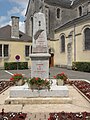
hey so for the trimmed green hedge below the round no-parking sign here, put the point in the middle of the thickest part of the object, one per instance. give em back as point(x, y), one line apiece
point(15, 65)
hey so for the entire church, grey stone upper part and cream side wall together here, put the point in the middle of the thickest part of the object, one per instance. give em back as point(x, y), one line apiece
point(68, 29)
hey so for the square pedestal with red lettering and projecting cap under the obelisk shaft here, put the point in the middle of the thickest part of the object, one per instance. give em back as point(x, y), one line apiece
point(40, 65)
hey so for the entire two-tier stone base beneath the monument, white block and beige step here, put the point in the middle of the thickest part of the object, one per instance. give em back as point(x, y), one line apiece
point(24, 95)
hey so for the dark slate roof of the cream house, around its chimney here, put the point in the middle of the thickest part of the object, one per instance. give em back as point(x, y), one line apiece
point(5, 34)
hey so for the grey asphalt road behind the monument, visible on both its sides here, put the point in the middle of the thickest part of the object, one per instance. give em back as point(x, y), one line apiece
point(53, 71)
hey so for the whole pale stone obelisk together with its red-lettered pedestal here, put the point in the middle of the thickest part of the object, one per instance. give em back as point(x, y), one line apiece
point(40, 55)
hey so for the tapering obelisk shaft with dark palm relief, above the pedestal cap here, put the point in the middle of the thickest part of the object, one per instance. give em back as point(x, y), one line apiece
point(39, 33)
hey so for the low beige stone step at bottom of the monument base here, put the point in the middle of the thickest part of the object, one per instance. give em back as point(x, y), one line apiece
point(38, 100)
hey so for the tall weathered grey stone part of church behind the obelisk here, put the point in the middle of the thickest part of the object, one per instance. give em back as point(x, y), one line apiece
point(50, 7)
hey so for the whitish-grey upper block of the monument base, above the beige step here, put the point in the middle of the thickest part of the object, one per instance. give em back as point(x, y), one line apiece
point(25, 92)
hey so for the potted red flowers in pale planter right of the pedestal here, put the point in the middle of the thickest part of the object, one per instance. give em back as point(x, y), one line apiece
point(61, 78)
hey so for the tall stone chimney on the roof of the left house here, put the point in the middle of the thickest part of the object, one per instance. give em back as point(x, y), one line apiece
point(15, 27)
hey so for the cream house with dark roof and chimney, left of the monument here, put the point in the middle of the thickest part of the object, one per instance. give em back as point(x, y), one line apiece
point(14, 42)
